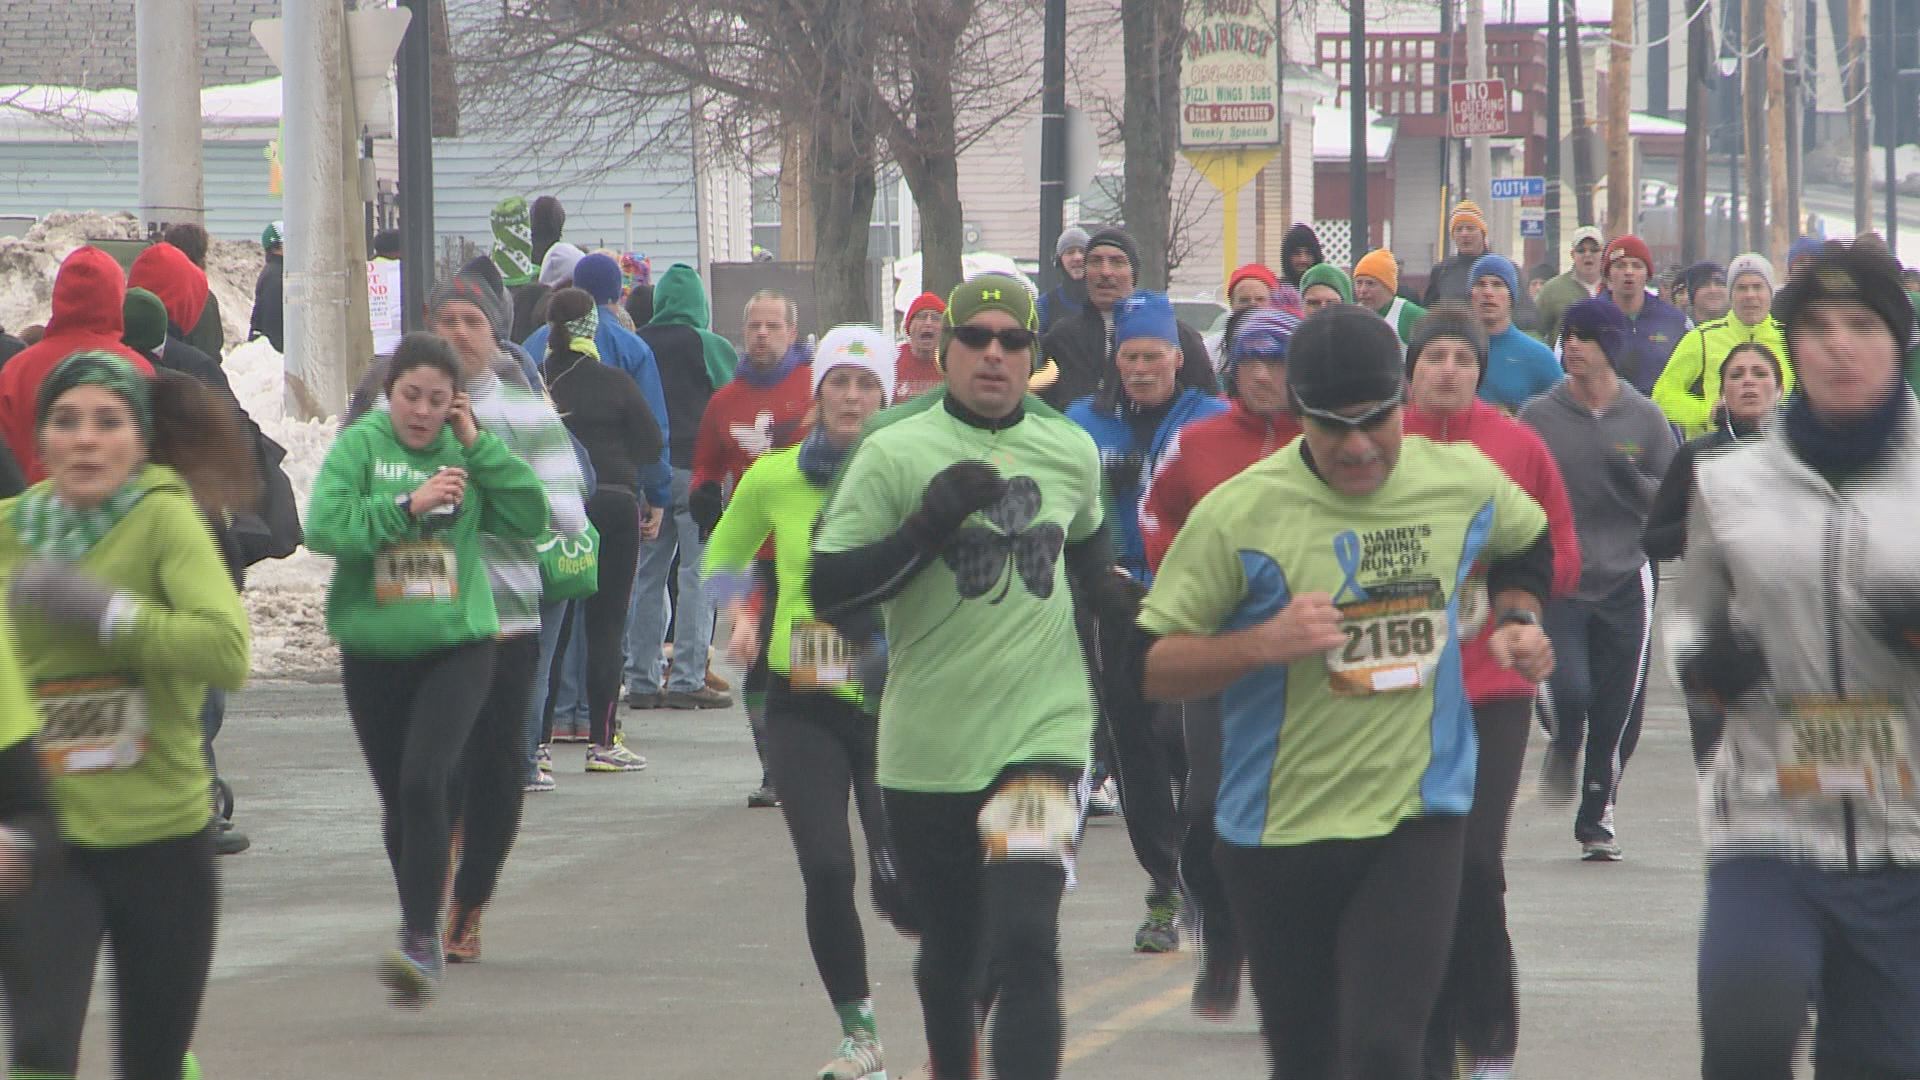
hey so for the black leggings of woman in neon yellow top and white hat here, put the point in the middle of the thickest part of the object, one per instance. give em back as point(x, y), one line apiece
point(821, 747)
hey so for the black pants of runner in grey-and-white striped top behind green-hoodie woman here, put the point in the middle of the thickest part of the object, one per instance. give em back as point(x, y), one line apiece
point(492, 783)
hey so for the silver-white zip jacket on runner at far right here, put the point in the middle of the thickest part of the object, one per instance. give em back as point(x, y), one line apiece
point(1765, 543)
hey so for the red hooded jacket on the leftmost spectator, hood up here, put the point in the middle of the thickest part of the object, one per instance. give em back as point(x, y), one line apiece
point(87, 314)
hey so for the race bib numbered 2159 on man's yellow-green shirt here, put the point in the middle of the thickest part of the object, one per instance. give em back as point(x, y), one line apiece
point(1395, 639)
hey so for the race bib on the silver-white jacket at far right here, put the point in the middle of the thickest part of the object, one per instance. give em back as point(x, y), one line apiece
point(1846, 749)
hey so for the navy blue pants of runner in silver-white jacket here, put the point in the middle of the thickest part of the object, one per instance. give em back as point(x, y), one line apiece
point(1779, 935)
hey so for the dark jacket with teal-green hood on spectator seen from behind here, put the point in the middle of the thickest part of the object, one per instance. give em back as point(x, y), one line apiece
point(694, 360)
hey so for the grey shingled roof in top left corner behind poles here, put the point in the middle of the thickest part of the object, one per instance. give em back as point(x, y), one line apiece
point(91, 43)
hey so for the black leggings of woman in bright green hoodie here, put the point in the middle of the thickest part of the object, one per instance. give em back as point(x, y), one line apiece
point(412, 720)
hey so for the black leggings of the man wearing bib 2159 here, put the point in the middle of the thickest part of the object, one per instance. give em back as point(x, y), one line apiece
point(1347, 943)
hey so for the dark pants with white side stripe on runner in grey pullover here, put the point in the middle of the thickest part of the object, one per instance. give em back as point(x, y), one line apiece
point(1598, 689)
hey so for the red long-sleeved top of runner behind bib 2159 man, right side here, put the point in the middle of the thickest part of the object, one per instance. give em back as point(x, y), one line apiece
point(1525, 460)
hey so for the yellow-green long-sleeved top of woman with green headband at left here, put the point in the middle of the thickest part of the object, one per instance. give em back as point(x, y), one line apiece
point(187, 633)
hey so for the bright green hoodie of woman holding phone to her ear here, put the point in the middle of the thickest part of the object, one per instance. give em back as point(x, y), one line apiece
point(354, 516)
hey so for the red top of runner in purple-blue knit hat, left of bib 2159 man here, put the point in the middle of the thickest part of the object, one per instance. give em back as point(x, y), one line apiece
point(1201, 458)
